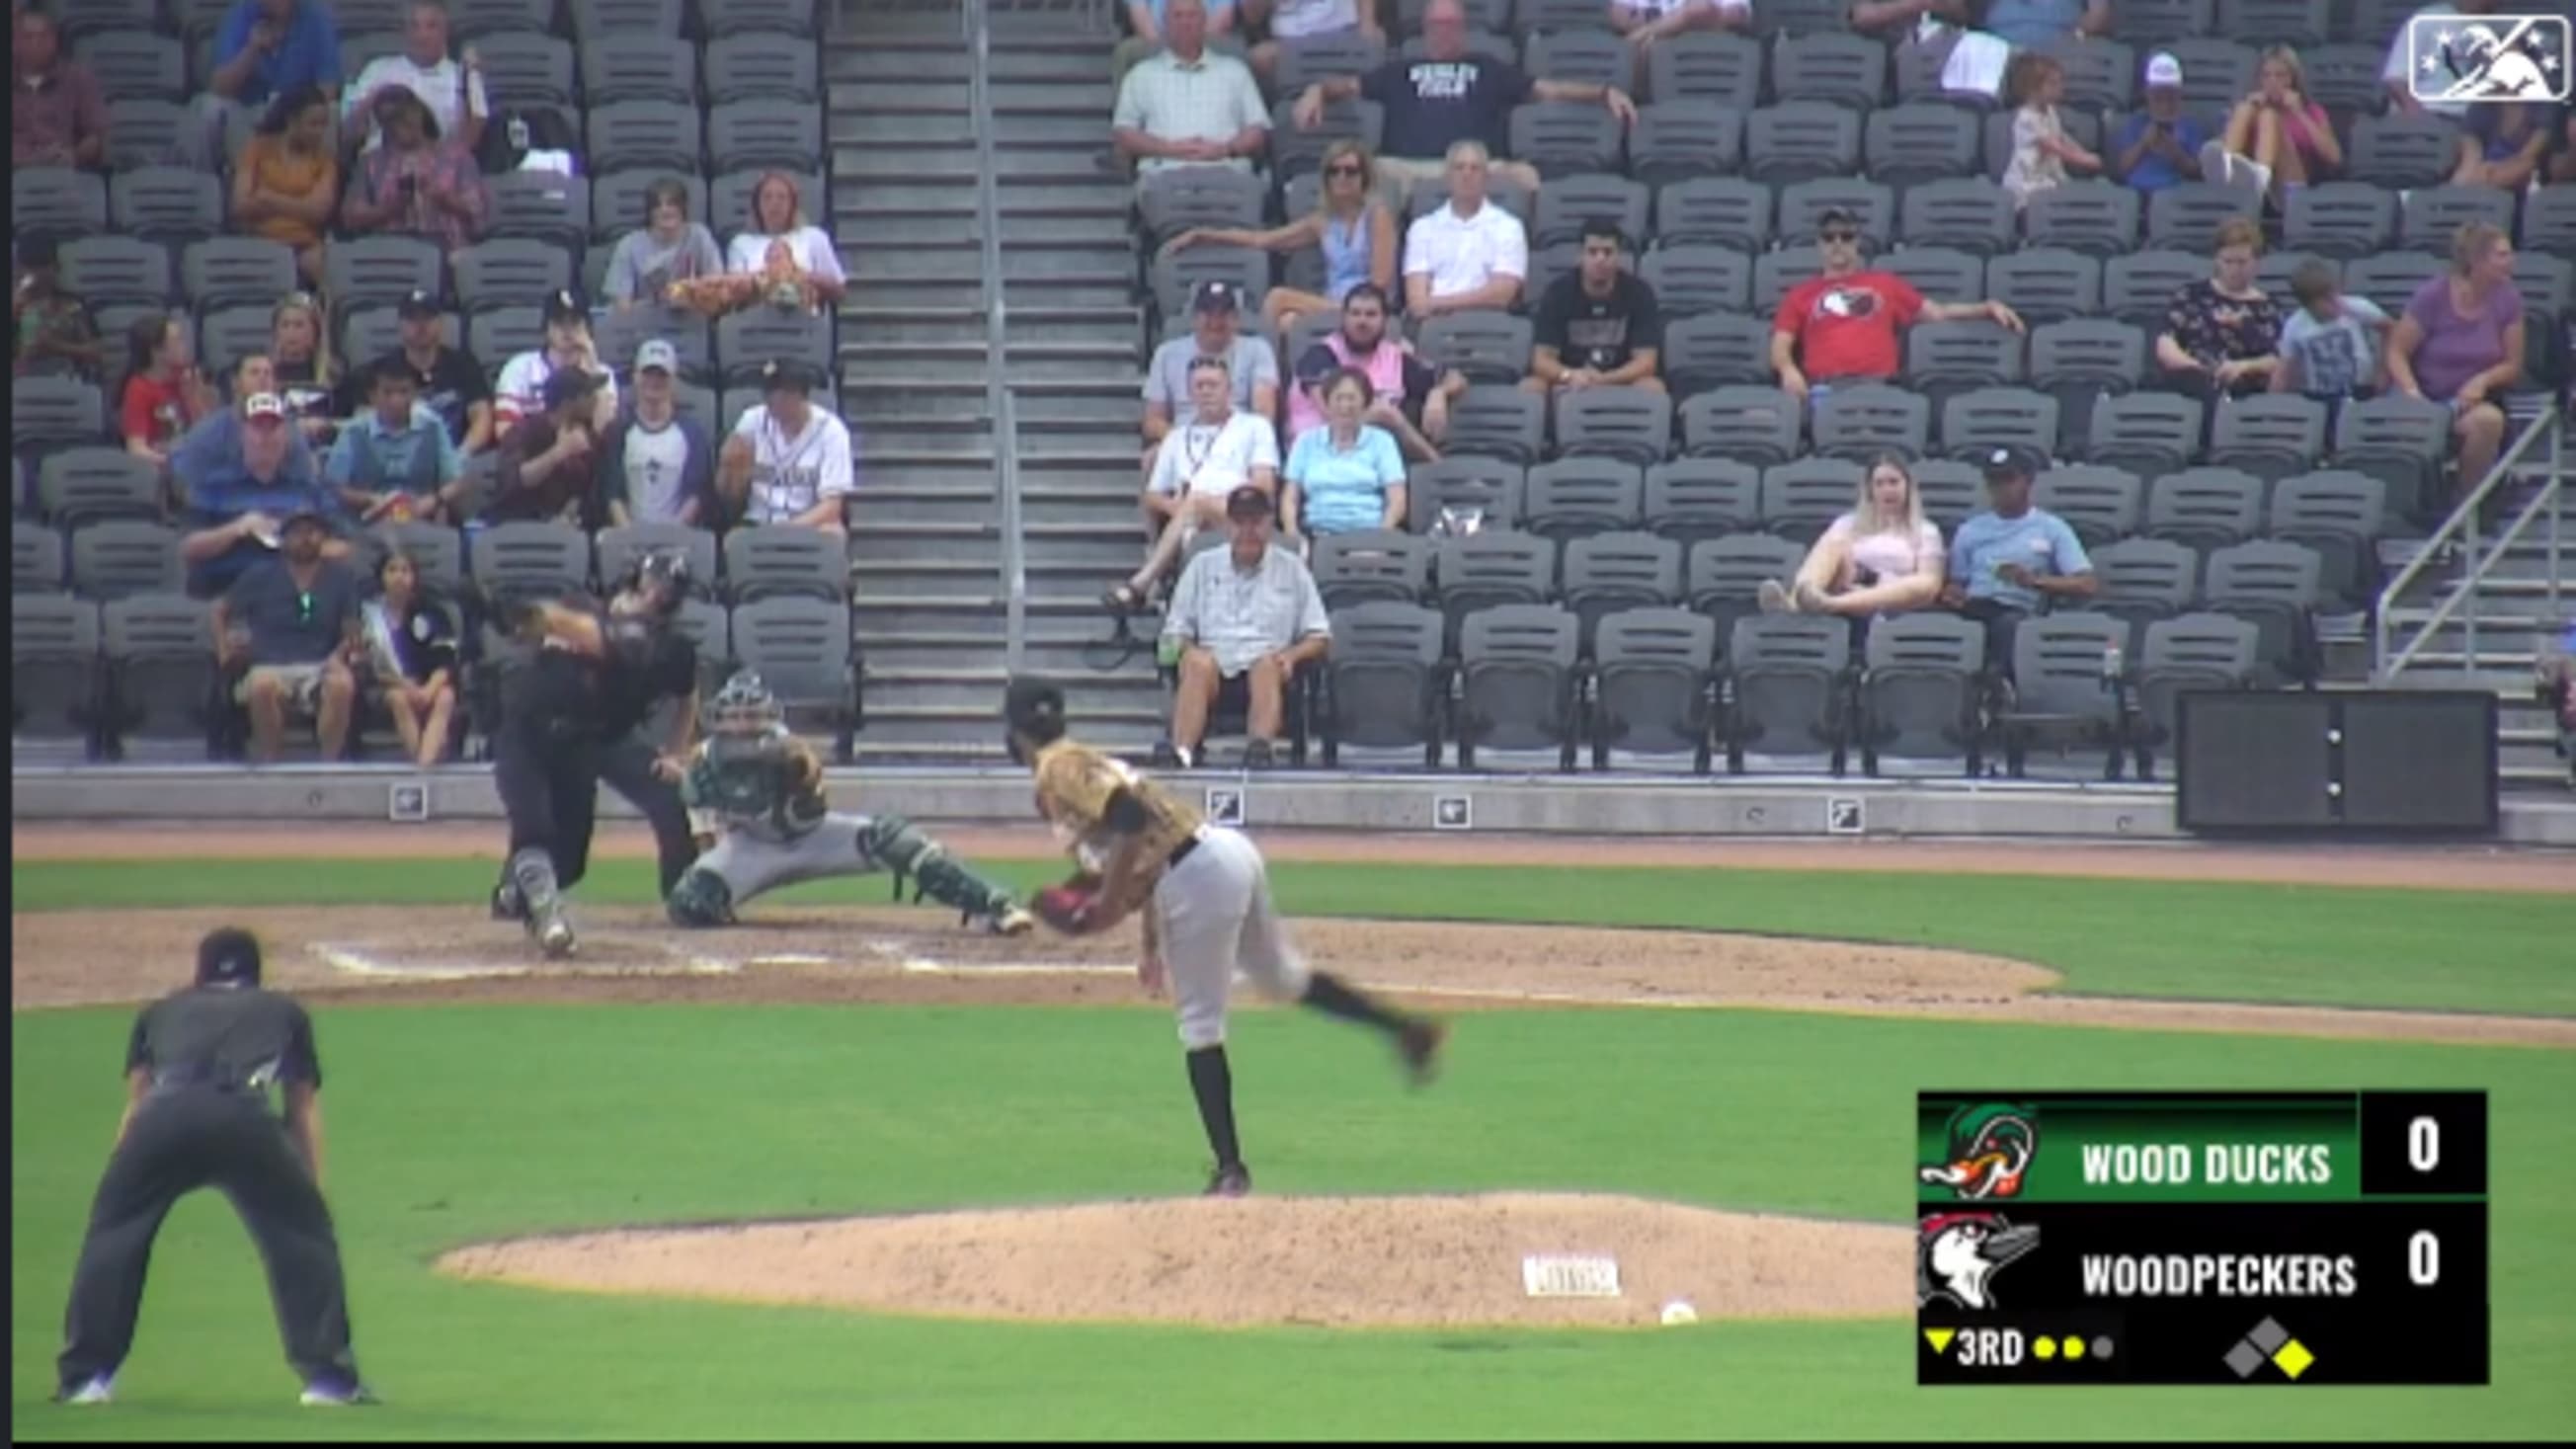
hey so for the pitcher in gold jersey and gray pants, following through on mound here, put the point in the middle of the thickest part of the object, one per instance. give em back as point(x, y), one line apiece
point(1204, 899)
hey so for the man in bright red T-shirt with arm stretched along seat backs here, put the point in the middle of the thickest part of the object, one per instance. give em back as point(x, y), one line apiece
point(1846, 324)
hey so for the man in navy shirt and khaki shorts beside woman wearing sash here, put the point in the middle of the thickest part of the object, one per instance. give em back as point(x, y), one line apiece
point(295, 628)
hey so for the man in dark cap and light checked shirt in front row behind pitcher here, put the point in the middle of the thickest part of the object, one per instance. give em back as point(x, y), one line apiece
point(1238, 659)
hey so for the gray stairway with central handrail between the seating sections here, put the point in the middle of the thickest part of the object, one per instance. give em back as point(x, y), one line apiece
point(926, 558)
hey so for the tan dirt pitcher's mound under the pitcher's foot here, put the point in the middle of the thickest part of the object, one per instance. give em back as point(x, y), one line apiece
point(1397, 1262)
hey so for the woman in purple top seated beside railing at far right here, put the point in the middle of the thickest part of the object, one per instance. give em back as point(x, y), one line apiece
point(2461, 344)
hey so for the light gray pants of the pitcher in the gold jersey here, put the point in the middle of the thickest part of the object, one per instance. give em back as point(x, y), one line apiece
point(1215, 917)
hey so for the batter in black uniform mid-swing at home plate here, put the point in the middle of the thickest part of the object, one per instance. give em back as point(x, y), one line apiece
point(571, 726)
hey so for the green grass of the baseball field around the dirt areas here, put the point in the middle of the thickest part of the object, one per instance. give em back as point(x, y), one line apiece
point(468, 1123)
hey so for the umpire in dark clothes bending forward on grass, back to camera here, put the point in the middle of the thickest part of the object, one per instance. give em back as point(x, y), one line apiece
point(197, 1115)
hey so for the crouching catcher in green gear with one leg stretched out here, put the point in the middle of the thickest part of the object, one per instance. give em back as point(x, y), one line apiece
point(761, 790)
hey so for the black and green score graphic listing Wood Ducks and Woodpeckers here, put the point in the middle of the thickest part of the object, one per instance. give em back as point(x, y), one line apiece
point(2201, 1239)
